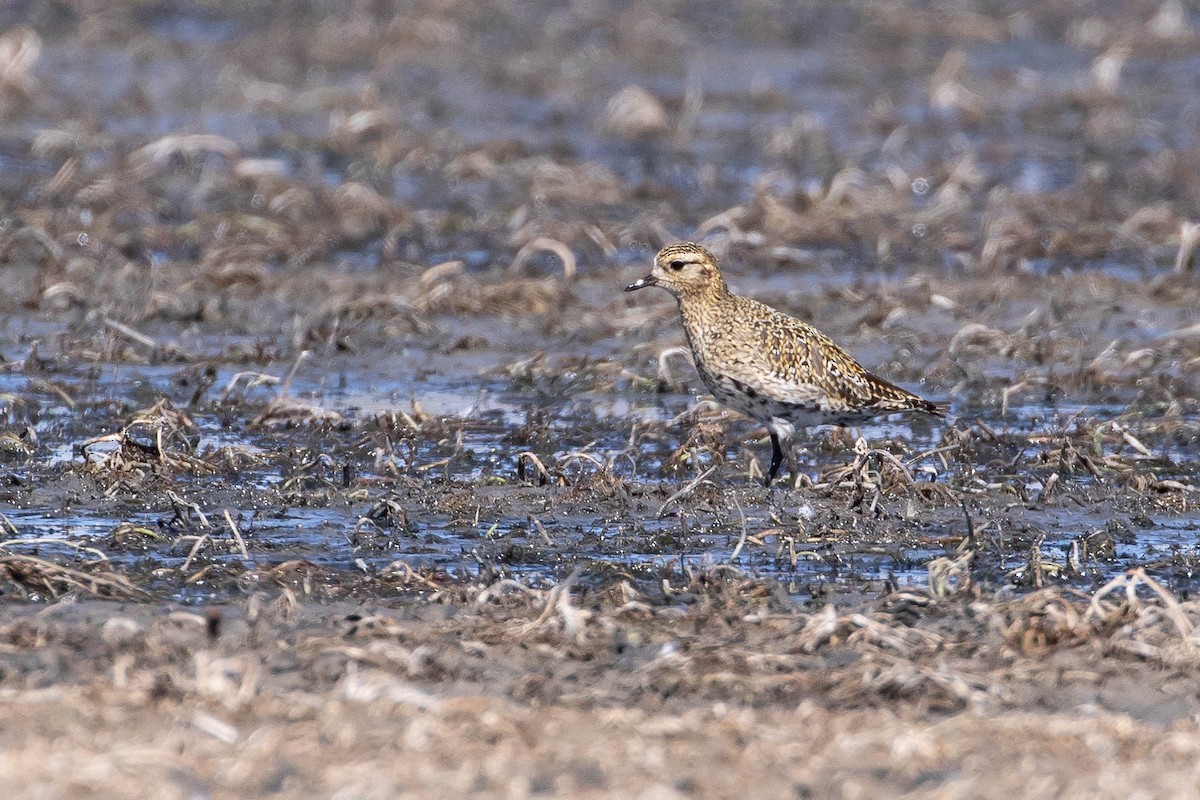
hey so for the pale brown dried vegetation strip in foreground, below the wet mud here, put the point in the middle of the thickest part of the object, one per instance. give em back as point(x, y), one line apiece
point(611, 694)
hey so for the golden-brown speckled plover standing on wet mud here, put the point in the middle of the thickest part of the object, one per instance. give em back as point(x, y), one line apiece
point(767, 365)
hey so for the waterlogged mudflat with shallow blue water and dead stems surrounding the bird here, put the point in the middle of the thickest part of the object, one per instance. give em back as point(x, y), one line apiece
point(993, 173)
